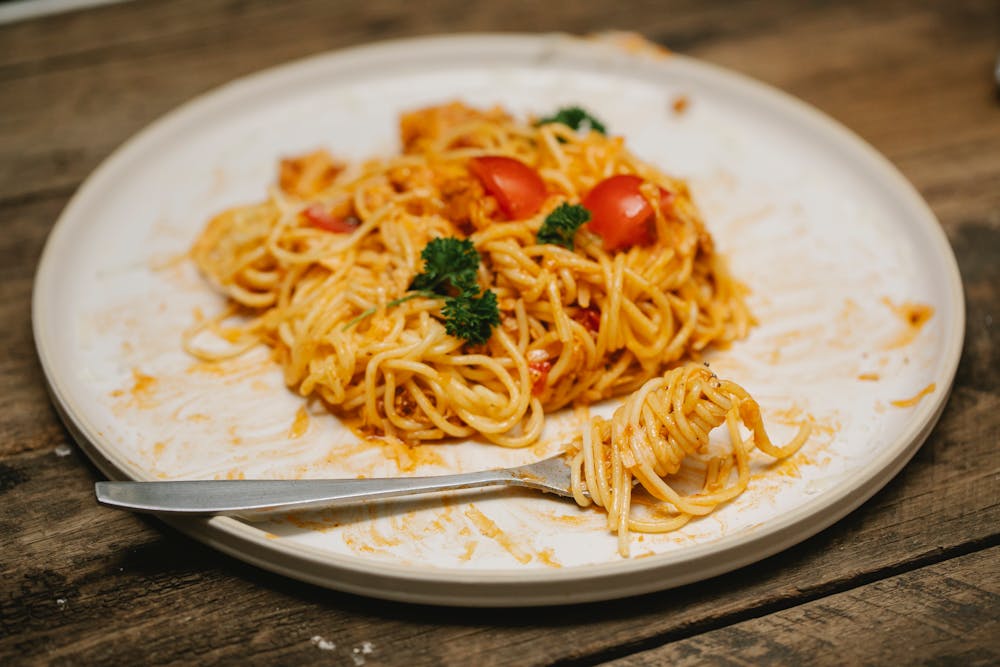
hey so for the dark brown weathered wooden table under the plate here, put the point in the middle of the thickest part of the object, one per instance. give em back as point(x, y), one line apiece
point(912, 576)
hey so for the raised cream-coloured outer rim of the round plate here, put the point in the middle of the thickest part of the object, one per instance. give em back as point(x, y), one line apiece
point(512, 587)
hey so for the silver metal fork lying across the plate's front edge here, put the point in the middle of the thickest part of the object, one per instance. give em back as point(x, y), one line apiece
point(551, 475)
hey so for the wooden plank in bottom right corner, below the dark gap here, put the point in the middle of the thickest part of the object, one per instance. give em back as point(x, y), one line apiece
point(946, 614)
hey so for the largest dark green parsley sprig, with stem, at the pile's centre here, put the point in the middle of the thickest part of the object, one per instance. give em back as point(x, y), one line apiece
point(450, 267)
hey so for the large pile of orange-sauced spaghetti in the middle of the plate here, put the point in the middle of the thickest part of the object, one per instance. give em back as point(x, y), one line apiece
point(577, 325)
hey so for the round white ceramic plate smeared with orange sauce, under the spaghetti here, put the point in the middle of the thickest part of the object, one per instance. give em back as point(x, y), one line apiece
point(823, 229)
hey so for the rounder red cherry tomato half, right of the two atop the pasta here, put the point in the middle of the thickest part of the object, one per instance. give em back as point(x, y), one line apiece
point(620, 214)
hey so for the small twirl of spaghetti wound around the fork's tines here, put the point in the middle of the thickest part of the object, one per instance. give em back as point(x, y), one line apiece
point(661, 433)
